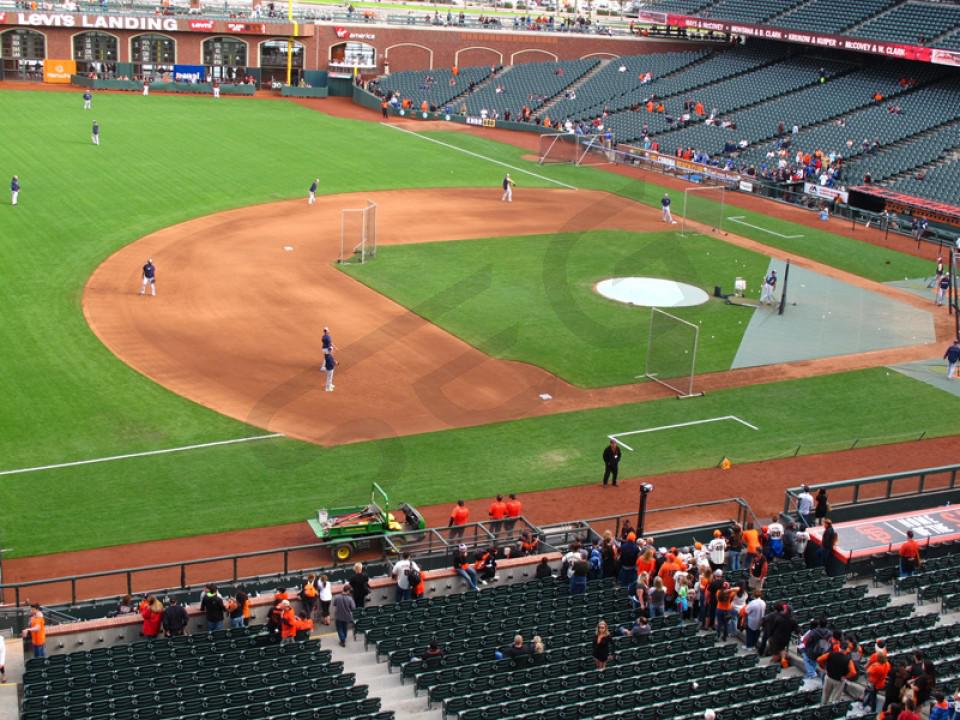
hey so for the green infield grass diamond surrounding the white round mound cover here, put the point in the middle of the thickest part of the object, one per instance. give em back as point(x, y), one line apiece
point(565, 326)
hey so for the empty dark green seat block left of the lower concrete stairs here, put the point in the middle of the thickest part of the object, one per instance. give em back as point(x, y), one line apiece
point(227, 674)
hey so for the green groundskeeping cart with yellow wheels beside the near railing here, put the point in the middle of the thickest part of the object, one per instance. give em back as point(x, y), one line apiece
point(357, 528)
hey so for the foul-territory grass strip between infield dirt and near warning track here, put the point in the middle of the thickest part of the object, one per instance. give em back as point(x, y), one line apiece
point(284, 481)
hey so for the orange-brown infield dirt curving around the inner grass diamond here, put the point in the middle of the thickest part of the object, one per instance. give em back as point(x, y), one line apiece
point(243, 296)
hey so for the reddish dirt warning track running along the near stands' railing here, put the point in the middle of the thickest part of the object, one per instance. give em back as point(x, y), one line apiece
point(762, 484)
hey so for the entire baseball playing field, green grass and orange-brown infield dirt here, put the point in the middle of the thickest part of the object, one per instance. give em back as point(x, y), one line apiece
point(471, 311)
